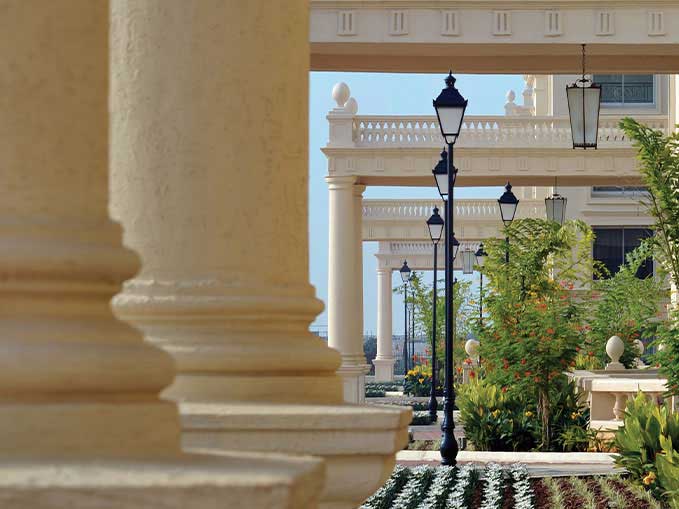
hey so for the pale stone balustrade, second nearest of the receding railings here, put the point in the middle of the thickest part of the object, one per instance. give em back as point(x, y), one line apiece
point(464, 209)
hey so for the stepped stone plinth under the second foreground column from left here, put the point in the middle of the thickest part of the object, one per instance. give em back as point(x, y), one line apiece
point(358, 444)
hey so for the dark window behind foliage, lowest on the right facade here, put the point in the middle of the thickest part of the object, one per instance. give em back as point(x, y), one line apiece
point(611, 246)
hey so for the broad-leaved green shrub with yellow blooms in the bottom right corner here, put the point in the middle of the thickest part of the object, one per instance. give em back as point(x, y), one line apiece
point(646, 447)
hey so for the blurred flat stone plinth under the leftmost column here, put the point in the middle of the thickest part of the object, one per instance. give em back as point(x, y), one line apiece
point(197, 481)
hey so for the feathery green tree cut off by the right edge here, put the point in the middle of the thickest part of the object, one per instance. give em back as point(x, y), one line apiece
point(659, 157)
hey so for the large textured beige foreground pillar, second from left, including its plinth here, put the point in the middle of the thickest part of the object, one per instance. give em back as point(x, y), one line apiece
point(210, 173)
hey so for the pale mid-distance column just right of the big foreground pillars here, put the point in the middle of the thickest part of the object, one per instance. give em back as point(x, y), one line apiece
point(344, 291)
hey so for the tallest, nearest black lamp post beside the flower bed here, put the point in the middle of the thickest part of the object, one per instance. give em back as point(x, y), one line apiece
point(450, 107)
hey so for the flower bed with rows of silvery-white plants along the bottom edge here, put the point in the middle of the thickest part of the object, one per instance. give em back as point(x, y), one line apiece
point(500, 487)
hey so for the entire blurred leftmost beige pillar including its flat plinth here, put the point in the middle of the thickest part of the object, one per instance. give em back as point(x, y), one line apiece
point(81, 420)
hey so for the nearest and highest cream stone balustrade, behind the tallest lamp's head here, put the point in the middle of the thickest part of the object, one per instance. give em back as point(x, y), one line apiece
point(487, 131)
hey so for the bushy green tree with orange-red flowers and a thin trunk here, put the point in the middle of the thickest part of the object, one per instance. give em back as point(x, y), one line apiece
point(532, 331)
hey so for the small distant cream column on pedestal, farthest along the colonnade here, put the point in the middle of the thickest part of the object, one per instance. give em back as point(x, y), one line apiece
point(384, 362)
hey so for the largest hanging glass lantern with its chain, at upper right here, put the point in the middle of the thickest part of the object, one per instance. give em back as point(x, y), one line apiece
point(584, 102)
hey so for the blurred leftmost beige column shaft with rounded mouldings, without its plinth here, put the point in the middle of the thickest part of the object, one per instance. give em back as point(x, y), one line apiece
point(74, 380)
